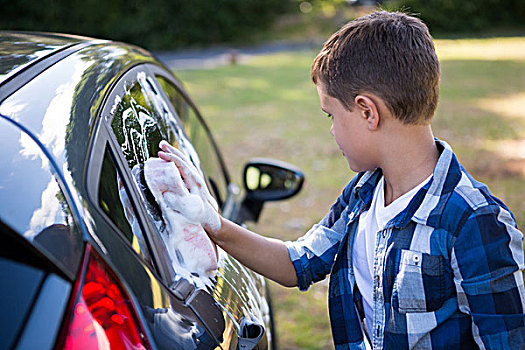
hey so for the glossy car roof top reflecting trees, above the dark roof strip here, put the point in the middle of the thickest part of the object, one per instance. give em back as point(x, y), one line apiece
point(20, 49)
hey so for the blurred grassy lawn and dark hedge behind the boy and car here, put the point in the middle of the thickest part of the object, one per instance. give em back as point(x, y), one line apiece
point(260, 101)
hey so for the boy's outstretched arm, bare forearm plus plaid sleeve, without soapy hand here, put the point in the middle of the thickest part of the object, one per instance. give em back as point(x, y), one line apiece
point(300, 263)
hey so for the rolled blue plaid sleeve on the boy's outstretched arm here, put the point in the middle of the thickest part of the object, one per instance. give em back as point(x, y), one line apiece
point(313, 254)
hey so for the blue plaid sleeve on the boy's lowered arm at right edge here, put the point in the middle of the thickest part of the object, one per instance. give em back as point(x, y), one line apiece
point(488, 263)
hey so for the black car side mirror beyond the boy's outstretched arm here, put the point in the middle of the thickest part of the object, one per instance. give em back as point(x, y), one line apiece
point(268, 180)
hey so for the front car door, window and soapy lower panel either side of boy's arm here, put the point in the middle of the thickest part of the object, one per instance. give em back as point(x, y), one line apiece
point(240, 284)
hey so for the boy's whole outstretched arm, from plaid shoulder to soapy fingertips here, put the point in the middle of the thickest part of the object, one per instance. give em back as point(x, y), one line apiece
point(312, 255)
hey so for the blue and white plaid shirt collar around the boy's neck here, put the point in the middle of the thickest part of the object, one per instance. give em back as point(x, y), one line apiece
point(445, 177)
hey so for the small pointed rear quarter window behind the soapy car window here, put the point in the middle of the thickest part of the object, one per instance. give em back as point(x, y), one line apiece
point(114, 199)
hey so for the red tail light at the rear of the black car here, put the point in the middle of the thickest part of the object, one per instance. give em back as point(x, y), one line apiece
point(102, 316)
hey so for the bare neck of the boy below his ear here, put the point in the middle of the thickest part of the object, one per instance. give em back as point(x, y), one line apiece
point(409, 156)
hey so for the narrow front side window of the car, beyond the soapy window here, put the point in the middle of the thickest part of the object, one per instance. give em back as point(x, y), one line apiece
point(200, 138)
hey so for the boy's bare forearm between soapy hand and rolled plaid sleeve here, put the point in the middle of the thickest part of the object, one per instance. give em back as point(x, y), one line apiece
point(266, 256)
